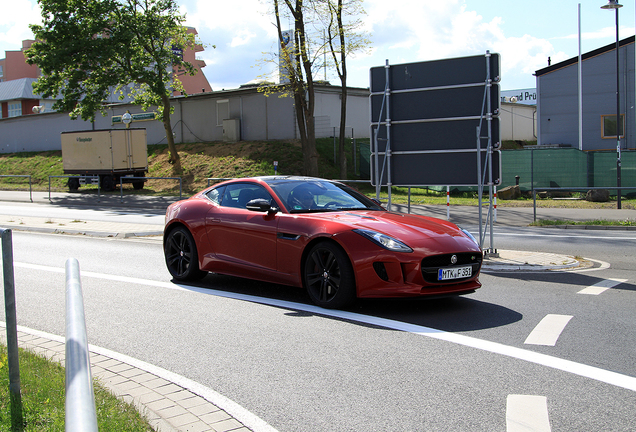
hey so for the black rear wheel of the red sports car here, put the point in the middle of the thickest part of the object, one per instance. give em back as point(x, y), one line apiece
point(181, 256)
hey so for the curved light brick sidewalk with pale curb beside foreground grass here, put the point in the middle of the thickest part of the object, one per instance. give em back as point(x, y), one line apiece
point(170, 403)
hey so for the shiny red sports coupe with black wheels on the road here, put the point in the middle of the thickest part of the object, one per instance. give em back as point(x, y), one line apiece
point(317, 234)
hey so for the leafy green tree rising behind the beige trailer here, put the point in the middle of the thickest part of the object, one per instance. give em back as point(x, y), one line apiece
point(85, 49)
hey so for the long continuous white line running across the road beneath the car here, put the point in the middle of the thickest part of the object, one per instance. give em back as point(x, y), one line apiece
point(595, 373)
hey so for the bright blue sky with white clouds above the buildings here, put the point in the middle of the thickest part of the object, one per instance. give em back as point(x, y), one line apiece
point(524, 32)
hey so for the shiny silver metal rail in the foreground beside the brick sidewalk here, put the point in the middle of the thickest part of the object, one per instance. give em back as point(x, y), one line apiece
point(80, 398)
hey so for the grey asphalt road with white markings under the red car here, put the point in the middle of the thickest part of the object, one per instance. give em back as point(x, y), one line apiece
point(483, 362)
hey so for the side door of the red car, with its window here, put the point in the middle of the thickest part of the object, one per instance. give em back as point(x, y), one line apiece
point(240, 237)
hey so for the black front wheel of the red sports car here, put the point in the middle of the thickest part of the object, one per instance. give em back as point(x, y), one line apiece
point(328, 276)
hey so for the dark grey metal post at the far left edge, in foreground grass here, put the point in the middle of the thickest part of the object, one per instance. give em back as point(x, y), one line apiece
point(17, 422)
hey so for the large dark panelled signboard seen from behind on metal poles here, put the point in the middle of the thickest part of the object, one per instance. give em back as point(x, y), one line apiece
point(432, 119)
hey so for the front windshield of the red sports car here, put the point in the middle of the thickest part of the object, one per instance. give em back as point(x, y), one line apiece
point(304, 196)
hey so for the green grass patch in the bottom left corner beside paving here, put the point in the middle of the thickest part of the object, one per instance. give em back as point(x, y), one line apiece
point(43, 399)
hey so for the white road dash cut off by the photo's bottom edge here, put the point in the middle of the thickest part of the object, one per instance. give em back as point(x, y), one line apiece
point(527, 414)
